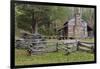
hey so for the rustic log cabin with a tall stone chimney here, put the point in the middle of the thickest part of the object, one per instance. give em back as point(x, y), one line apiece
point(76, 27)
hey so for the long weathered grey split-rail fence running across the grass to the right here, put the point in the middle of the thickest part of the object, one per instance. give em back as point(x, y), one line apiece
point(67, 46)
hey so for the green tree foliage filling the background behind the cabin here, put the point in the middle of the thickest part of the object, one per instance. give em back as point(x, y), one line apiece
point(48, 18)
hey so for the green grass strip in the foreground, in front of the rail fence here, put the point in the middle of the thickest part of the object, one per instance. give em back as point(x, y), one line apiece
point(21, 57)
